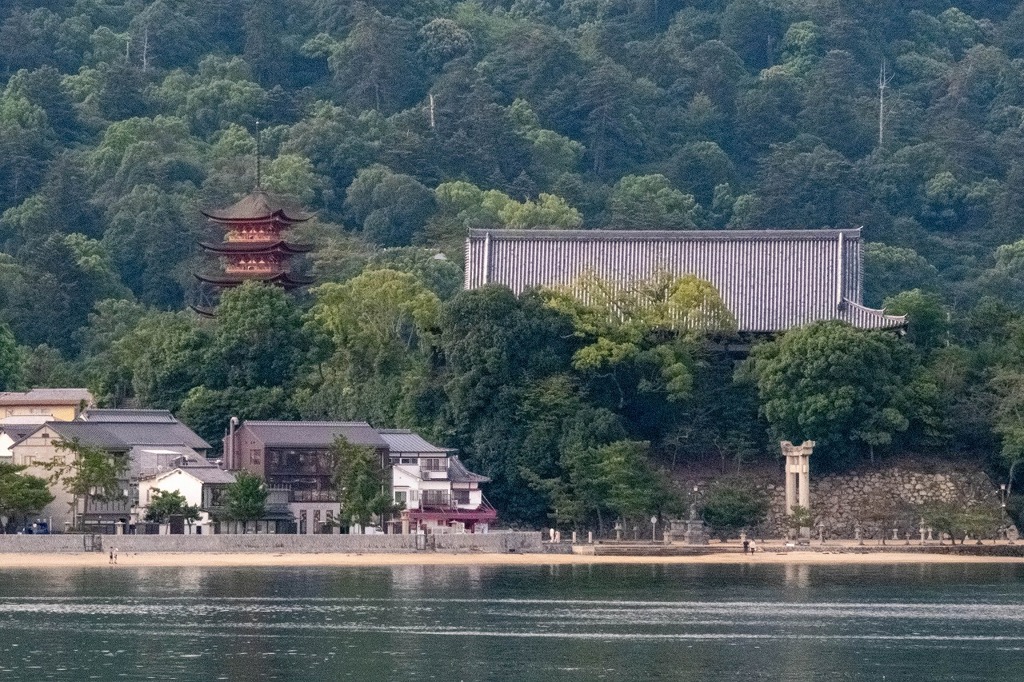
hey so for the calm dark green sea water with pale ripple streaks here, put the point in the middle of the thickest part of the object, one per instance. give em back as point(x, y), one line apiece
point(546, 623)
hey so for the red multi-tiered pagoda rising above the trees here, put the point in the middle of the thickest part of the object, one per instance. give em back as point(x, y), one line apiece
point(254, 247)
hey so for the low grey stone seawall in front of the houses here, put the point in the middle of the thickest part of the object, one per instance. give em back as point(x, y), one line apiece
point(455, 543)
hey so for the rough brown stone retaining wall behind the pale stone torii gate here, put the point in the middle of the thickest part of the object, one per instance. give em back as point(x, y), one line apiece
point(877, 499)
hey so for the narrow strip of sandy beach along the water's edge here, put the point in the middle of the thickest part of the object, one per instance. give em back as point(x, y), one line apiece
point(269, 560)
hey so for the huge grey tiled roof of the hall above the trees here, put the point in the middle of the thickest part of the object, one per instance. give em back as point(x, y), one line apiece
point(772, 281)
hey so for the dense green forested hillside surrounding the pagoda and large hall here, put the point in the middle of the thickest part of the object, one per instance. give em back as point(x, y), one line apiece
point(402, 124)
